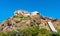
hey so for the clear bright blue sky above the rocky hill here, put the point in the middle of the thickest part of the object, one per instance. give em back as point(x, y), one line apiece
point(50, 8)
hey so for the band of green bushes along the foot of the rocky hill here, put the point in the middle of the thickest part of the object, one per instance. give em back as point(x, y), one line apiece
point(31, 31)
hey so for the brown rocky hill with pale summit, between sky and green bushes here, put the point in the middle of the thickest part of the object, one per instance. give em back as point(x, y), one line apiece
point(22, 19)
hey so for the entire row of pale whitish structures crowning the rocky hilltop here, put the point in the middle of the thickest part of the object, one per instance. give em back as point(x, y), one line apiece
point(25, 13)
